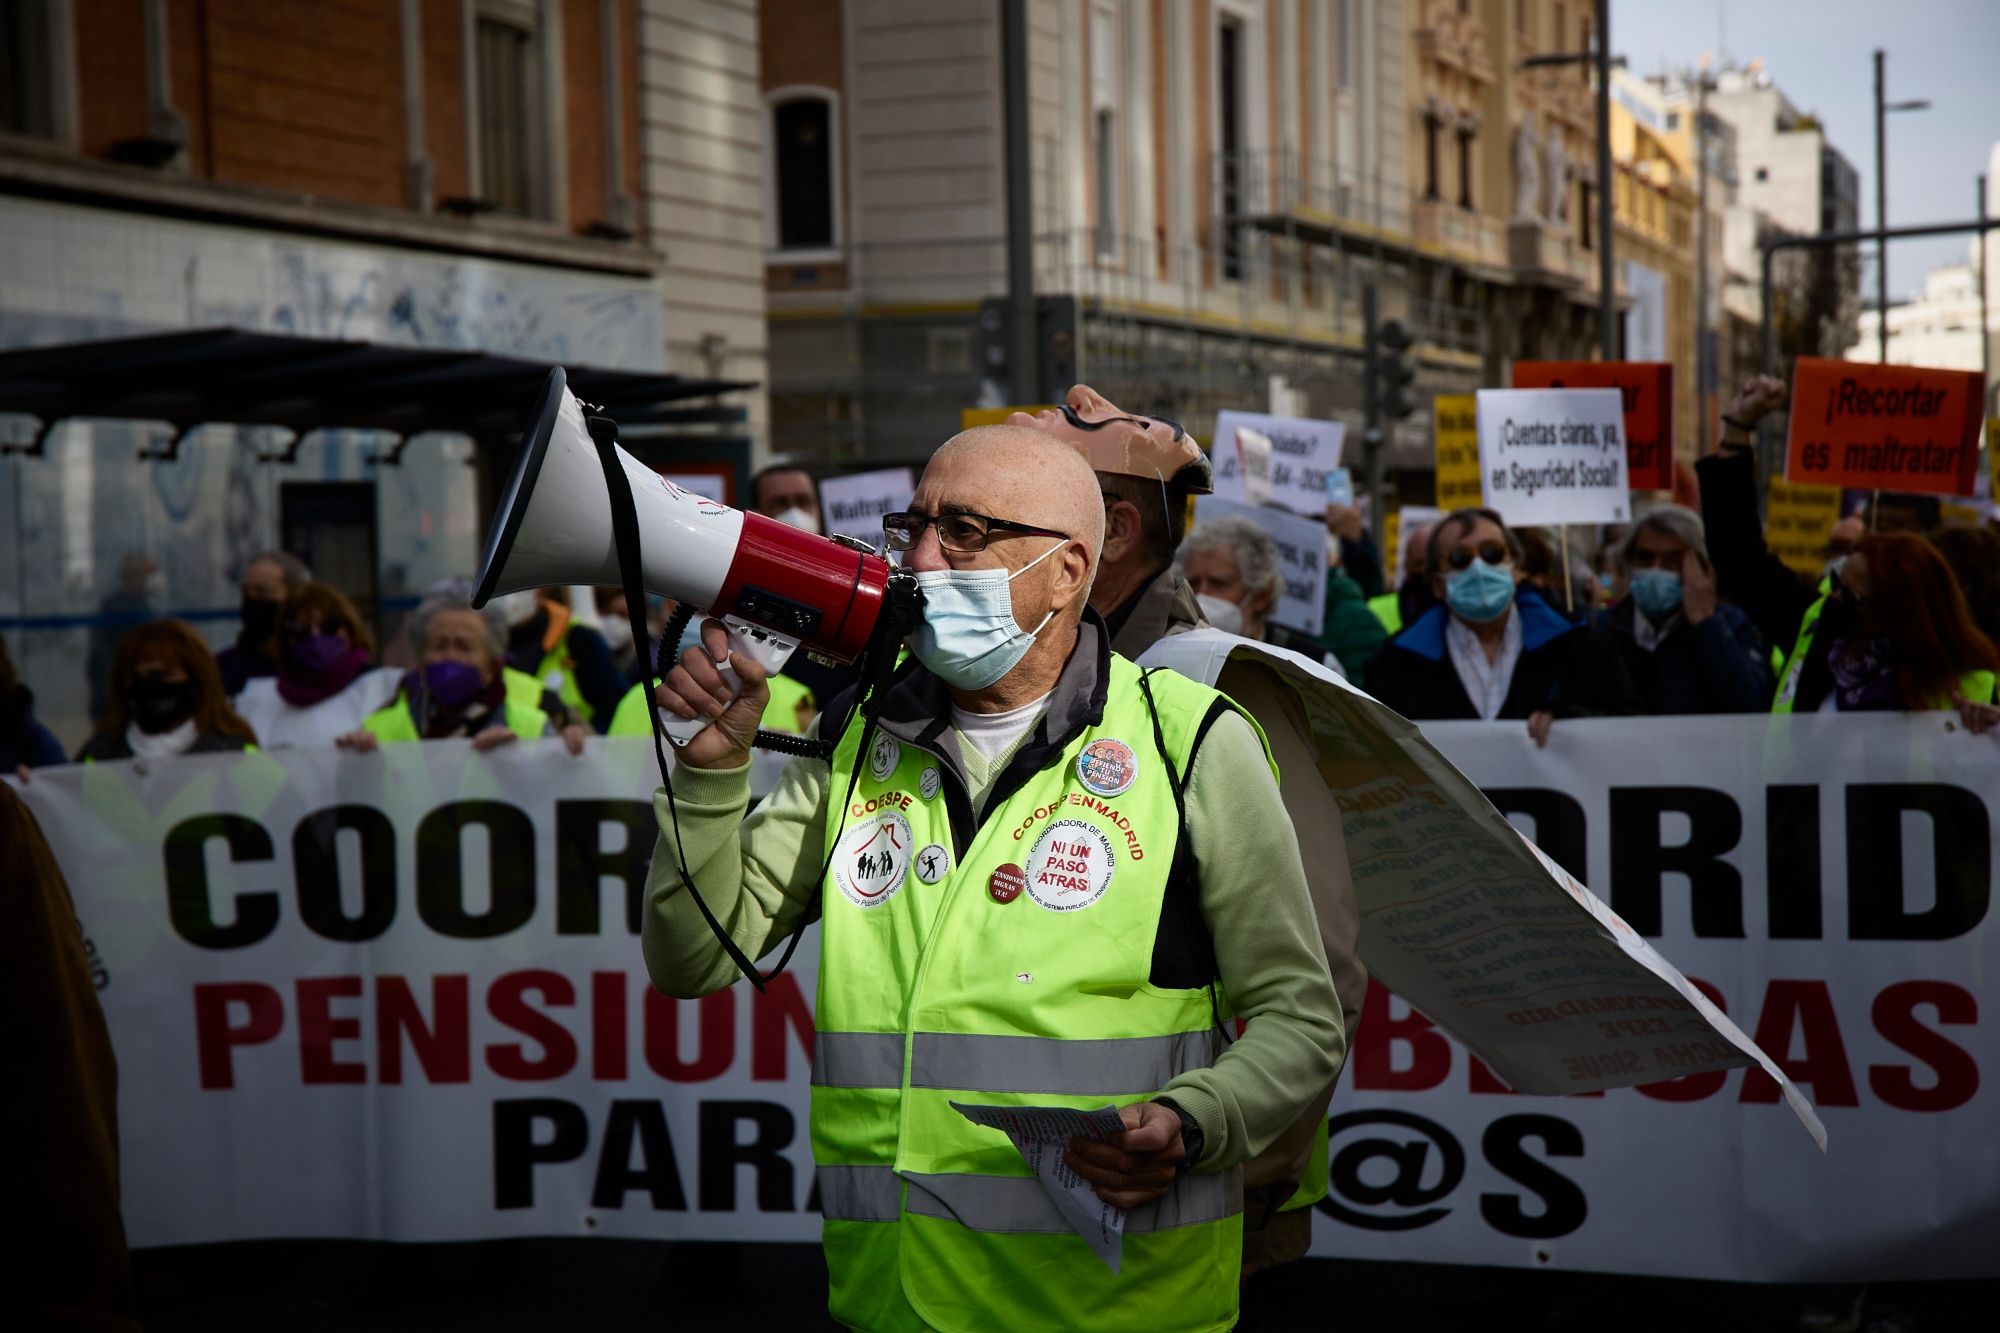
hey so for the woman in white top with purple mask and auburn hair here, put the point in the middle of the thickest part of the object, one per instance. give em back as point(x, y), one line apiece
point(327, 680)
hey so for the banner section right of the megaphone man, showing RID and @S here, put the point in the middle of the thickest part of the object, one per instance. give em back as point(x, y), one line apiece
point(1823, 880)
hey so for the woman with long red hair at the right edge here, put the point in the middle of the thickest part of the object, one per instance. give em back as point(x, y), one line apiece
point(1913, 645)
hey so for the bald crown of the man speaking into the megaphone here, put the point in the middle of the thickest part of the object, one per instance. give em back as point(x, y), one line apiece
point(1025, 475)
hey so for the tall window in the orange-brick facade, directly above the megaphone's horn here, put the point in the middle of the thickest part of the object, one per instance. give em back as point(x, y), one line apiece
point(513, 109)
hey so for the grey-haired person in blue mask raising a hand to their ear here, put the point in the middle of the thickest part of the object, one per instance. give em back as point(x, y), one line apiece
point(1687, 649)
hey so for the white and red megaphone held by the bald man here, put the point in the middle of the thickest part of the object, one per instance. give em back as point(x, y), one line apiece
point(773, 585)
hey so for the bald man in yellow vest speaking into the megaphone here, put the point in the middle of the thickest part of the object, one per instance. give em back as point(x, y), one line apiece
point(1051, 882)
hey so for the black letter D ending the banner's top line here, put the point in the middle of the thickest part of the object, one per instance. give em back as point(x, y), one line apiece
point(1959, 846)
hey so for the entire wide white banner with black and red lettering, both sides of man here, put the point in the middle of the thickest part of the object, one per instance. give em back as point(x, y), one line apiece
point(421, 1036)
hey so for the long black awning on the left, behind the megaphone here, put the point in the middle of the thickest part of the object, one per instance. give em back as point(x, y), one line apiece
point(231, 377)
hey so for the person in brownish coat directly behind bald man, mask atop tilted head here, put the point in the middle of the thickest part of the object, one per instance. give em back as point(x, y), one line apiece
point(1145, 467)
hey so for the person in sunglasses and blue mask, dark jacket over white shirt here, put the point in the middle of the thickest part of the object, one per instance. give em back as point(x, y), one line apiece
point(1493, 647)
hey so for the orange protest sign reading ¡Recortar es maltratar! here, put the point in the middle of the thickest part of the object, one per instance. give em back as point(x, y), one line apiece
point(1885, 427)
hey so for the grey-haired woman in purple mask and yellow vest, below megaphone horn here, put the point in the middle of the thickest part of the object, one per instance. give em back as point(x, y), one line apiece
point(459, 688)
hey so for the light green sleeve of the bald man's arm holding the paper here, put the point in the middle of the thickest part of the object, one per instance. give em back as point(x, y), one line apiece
point(1267, 954)
